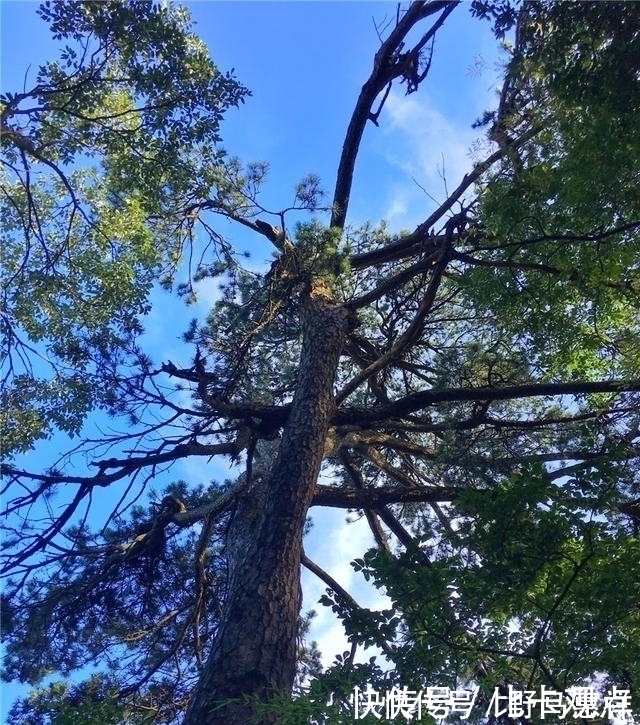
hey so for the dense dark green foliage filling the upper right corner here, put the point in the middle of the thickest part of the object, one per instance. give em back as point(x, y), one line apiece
point(562, 245)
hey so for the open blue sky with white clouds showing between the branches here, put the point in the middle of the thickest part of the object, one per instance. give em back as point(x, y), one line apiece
point(305, 63)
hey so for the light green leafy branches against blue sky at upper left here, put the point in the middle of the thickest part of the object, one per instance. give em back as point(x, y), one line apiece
point(103, 159)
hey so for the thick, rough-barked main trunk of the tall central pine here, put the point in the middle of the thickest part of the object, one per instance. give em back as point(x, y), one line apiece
point(254, 654)
